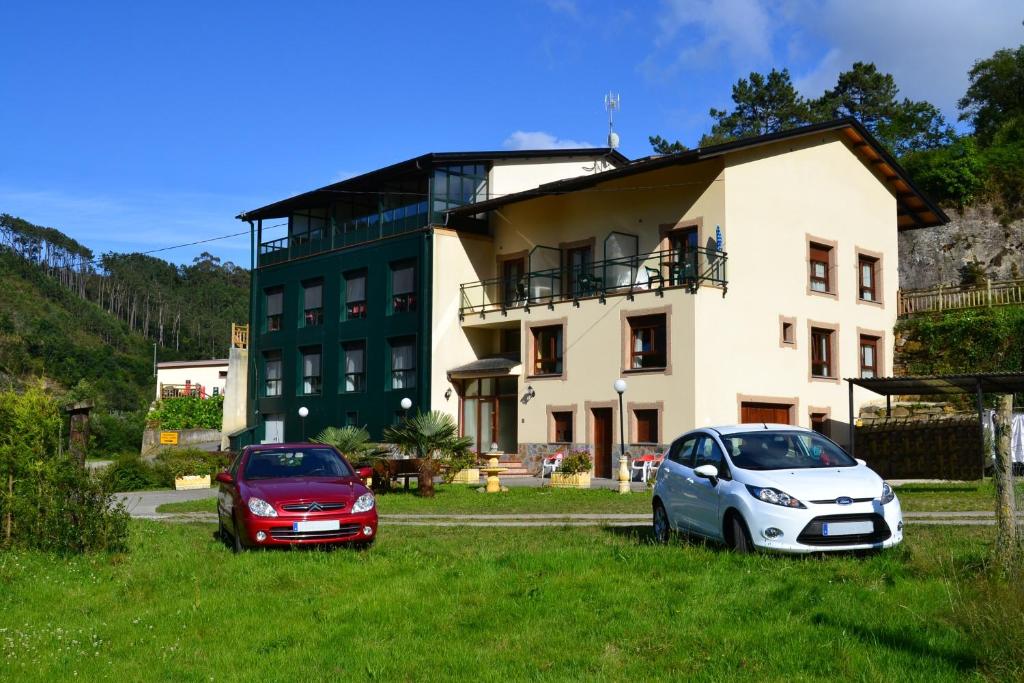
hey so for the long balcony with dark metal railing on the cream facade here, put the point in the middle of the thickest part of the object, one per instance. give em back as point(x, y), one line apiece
point(626, 276)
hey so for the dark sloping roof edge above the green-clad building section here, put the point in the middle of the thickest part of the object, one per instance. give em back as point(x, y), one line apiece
point(372, 182)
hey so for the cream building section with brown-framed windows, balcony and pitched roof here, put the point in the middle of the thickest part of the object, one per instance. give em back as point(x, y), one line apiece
point(730, 284)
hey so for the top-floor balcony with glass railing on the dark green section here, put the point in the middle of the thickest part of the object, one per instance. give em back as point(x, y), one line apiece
point(346, 234)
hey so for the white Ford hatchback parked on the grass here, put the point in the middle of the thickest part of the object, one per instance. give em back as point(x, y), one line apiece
point(774, 488)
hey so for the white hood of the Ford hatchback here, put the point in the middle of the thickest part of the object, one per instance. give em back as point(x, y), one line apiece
point(825, 484)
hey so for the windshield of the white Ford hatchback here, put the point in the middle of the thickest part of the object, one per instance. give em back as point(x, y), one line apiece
point(785, 451)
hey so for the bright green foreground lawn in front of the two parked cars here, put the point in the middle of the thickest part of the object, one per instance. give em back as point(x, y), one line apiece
point(492, 605)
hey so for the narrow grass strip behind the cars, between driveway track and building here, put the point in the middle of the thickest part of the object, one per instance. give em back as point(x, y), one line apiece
point(461, 499)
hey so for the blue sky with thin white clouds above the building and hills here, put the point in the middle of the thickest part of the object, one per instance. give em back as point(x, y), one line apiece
point(136, 126)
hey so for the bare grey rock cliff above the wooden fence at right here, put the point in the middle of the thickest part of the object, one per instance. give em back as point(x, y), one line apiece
point(934, 257)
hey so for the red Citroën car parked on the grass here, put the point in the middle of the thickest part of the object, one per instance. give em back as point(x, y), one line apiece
point(295, 494)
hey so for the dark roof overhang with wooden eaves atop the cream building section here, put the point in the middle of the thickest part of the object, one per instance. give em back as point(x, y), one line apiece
point(915, 209)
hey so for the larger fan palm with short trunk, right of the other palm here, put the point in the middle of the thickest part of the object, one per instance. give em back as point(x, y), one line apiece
point(434, 438)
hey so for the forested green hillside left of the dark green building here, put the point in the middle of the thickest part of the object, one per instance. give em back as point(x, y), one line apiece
point(87, 327)
